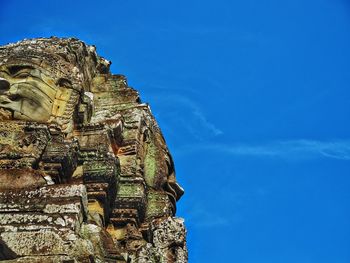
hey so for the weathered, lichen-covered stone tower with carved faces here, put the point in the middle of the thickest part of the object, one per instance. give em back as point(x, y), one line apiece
point(85, 173)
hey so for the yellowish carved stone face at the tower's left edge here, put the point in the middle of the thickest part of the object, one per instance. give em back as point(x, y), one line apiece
point(27, 92)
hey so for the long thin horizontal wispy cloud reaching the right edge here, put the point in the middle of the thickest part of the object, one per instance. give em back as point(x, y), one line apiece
point(292, 149)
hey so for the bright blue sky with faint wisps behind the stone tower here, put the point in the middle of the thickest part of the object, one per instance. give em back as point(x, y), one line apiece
point(253, 99)
